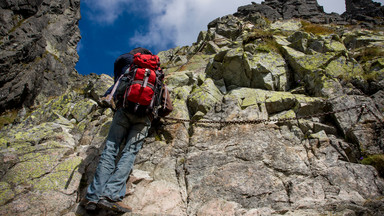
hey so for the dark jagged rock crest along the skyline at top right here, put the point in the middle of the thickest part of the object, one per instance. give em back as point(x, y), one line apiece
point(364, 13)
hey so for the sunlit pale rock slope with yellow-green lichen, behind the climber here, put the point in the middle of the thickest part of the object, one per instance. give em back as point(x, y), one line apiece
point(297, 112)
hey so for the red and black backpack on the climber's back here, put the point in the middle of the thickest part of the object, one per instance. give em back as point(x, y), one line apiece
point(139, 88)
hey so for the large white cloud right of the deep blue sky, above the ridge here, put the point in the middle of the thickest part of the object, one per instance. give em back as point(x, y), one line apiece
point(179, 22)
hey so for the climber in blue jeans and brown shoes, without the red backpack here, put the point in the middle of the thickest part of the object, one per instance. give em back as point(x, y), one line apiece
point(126, 134)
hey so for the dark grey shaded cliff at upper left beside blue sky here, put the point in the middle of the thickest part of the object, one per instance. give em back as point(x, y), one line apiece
point(38, 42)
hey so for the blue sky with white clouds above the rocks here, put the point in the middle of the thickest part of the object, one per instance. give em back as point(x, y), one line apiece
point(110, 28)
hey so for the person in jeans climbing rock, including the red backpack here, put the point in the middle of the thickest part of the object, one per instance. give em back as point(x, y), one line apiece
point(129, 126)
